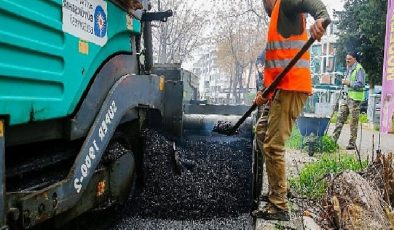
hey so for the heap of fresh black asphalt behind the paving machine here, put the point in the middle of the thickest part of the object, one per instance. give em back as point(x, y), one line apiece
point(217, 187)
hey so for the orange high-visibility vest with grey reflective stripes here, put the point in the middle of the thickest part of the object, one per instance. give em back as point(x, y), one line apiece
point(280, 51)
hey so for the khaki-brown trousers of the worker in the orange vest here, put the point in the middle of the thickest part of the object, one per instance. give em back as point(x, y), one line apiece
point(284, 109)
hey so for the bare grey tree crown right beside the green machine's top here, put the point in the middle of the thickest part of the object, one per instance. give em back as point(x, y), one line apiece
point(181, 34)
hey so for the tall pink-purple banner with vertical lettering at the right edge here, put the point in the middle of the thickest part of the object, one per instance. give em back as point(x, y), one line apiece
point(387, 103)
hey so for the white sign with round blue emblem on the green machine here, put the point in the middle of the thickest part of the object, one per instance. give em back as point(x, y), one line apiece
point(86, 20)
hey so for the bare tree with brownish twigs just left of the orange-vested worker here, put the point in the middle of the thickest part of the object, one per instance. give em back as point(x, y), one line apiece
point(240, 34)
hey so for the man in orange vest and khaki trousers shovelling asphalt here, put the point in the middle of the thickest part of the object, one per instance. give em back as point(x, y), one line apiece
point(287, 34)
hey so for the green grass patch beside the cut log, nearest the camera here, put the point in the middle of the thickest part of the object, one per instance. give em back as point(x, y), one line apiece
point(311, 182)
